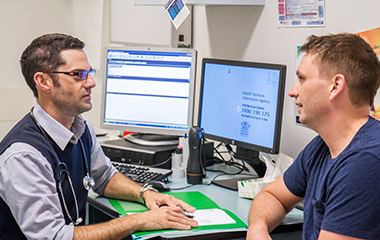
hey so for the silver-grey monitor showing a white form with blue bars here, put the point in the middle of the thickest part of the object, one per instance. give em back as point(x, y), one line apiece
point(149, 90)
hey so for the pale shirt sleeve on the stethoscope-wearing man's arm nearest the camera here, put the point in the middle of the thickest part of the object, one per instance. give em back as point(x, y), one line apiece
point(29, 189)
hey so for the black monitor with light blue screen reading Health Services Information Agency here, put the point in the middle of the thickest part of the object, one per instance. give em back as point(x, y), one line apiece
point(241, 103)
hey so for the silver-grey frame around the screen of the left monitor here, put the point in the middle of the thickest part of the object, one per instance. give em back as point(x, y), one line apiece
point(144, 129)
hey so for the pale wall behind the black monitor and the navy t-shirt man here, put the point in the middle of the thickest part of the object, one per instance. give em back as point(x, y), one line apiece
point(250, 33)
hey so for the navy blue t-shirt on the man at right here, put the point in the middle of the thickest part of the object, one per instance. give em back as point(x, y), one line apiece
point(342, 195)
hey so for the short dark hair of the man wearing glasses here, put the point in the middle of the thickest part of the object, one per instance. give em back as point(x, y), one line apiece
point(43, 54)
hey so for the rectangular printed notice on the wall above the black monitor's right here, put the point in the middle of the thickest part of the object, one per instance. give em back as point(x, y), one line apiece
point(305, 13)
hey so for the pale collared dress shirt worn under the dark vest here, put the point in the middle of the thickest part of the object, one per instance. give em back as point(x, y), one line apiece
point(27, 182)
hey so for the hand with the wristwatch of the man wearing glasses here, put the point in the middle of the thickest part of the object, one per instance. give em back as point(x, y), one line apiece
point(154, 200)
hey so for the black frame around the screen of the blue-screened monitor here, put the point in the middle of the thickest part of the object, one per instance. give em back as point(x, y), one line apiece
point(279, 109)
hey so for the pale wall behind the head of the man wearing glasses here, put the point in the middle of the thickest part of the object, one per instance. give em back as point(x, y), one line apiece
point(23, 20)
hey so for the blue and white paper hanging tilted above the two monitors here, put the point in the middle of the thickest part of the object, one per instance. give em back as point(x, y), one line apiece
point(178, 11)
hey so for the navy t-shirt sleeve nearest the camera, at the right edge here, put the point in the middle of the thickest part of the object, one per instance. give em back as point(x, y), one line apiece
point(352, 199)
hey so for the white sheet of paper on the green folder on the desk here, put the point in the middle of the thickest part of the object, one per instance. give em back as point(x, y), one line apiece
point(212, 217)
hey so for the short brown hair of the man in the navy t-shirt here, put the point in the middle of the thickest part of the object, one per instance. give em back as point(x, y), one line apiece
point(352, 56)
